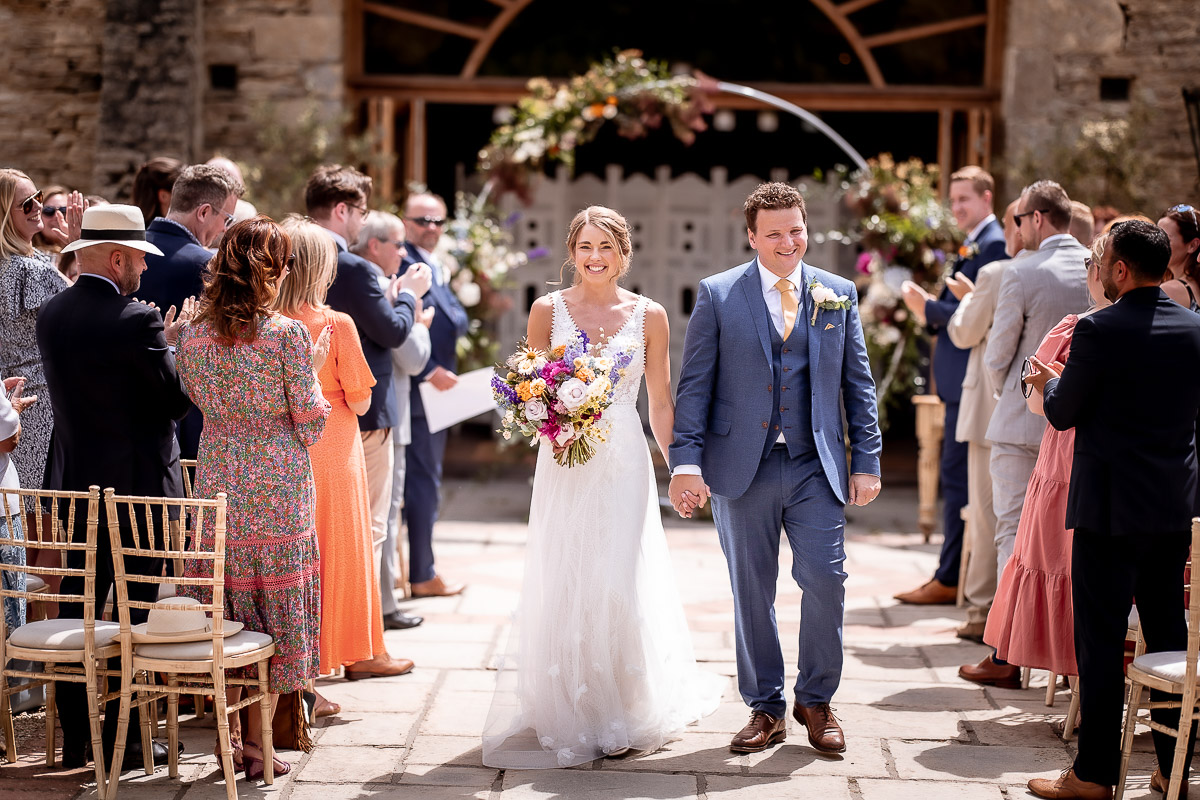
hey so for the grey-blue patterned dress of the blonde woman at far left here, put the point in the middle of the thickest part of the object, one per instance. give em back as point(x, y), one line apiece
point(26, 284)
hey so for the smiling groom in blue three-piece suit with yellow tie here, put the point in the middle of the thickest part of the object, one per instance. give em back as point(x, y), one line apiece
point(775, 351)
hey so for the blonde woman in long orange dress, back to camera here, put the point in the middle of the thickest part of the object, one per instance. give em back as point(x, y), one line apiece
point(351, 619)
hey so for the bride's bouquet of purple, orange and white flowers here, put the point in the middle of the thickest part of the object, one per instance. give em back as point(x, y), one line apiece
point(560, 398)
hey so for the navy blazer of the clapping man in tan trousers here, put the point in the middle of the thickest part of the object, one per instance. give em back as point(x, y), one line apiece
point(382, 327)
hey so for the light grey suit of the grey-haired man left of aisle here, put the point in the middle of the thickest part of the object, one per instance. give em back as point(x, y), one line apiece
point(407, 360)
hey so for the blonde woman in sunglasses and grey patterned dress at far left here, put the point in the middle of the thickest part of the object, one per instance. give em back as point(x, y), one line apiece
point(28, 279)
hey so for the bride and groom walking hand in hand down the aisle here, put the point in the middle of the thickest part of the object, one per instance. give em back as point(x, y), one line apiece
point(601, 660)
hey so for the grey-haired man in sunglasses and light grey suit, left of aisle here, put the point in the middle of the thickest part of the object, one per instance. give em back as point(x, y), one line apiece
point(382, 243)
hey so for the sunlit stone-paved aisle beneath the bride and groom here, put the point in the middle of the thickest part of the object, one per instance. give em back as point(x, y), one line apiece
point(914, 729)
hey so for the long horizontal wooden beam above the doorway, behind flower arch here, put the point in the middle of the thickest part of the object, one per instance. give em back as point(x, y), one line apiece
point(818, 98)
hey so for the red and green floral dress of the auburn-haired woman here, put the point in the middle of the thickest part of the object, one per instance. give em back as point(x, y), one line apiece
point(262, 411)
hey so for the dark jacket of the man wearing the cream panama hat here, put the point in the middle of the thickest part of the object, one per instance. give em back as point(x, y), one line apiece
point(115, 390)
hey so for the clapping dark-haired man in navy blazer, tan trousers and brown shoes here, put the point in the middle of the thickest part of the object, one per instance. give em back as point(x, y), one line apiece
point(337, 199)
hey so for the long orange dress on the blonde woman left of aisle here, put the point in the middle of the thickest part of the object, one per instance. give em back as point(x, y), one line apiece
point(351, 618)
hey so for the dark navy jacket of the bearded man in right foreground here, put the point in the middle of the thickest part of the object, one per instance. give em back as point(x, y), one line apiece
point(1131, 389)
